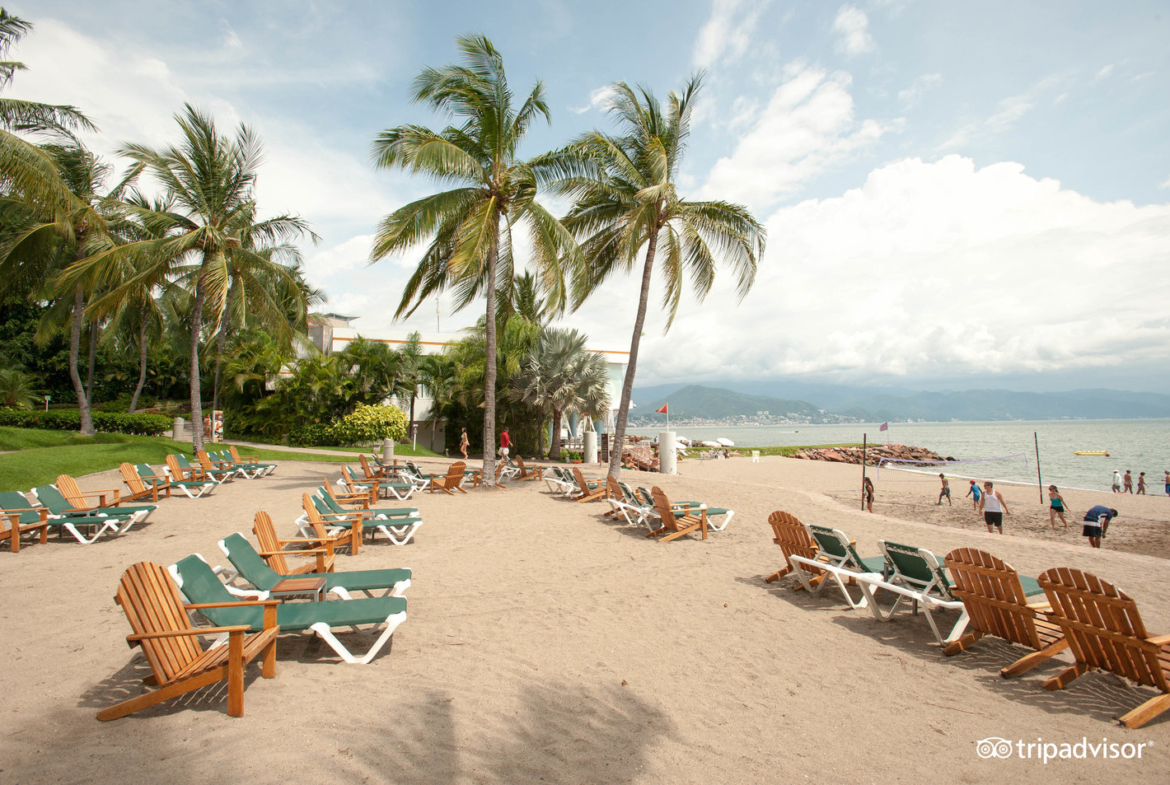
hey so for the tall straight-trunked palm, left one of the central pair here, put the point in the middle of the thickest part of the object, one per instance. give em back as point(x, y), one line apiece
point(469, 229)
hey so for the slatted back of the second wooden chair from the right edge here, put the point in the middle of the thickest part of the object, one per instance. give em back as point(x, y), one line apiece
point(992, 593)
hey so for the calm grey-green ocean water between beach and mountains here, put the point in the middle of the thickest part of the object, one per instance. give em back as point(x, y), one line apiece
point(1135, 445)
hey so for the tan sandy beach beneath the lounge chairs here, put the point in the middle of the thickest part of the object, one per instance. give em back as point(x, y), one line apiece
point(549, 644)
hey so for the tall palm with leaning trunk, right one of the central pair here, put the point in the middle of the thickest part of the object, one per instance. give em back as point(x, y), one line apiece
point(625, 198)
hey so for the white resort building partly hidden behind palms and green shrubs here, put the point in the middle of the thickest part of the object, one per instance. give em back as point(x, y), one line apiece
point(332, 333)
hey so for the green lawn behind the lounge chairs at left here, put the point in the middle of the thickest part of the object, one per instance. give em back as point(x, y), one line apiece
point(45, 455)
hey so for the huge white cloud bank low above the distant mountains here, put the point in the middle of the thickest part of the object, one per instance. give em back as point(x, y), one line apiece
point(937, 270)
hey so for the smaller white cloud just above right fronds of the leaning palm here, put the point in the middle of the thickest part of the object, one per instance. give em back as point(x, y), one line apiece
point(807, 128)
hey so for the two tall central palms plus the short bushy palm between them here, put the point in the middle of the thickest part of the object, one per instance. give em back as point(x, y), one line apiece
point(625, 201)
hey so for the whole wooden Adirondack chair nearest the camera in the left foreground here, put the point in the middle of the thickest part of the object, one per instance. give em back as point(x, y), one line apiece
point(180, 665)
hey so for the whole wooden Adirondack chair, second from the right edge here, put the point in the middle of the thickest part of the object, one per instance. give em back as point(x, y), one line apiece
point(996, 598)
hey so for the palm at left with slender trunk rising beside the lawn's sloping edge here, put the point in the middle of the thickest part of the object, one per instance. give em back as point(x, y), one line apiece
point(211, 182)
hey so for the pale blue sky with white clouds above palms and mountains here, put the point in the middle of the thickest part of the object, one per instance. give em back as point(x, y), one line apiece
point(956, 195)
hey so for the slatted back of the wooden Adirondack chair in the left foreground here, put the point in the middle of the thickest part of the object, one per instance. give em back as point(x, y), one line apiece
point(153, 603)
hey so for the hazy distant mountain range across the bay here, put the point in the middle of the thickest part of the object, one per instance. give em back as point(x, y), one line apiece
point(832, 403)
